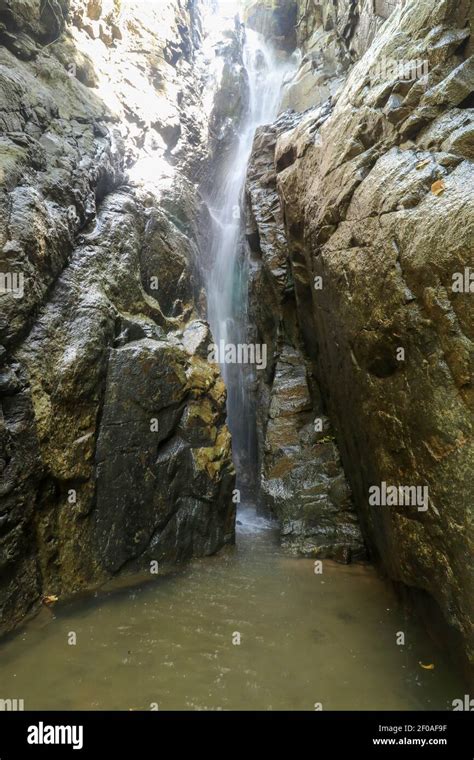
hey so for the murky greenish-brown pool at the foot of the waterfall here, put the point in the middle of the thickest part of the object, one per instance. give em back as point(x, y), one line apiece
point(305, 638)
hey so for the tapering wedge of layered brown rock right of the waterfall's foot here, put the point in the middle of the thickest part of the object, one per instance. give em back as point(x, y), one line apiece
point(302, 480)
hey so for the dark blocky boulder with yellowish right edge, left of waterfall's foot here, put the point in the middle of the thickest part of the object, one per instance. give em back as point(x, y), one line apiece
point(163, 457)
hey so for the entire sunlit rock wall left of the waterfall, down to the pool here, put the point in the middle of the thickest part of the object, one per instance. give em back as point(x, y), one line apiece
point(114, 448)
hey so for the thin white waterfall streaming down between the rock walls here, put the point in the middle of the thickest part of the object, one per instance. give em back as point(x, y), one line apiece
point(227, 281)
